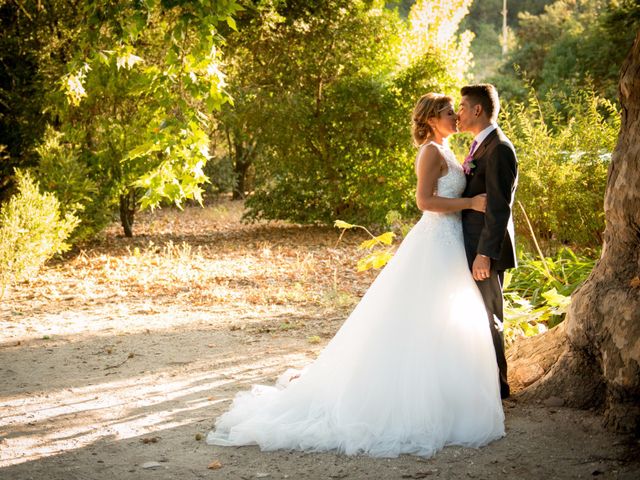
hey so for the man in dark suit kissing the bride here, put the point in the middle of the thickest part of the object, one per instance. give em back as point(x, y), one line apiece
point(491, 167)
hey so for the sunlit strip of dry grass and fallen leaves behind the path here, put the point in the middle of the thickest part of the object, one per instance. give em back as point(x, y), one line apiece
point(202, 259)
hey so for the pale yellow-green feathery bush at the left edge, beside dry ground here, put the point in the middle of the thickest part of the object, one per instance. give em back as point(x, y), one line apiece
point(32, 230)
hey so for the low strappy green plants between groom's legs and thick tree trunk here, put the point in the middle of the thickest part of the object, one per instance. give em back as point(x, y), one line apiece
point(537, 293)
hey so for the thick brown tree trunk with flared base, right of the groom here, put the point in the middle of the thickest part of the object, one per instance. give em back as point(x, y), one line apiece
point(600, 364)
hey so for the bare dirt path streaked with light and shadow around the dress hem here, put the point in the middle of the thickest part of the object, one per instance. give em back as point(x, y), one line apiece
point(88, 421)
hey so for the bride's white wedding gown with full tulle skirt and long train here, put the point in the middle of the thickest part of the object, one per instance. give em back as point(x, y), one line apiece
point(411, 370)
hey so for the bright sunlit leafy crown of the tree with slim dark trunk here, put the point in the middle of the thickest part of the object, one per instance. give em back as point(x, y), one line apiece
point(140, 102)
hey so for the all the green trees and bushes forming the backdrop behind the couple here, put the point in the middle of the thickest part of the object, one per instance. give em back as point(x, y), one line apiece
point(303, 107)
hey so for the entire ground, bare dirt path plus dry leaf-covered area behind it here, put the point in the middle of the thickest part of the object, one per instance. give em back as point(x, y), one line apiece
point(109, 370)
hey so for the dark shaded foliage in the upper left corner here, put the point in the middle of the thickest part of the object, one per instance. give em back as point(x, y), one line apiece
point(35, 41)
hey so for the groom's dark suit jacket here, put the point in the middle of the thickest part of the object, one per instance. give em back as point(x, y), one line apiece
point(496, 174)
